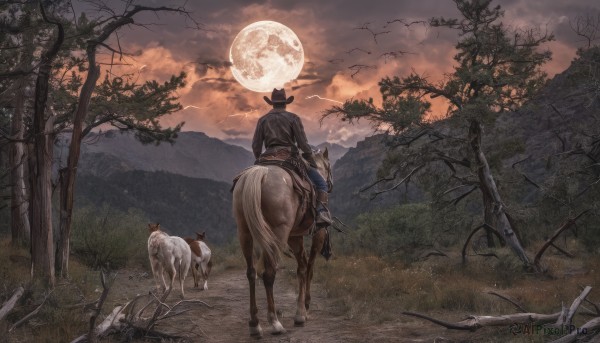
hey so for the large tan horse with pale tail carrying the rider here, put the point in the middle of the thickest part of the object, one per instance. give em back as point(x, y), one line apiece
point(269, 214)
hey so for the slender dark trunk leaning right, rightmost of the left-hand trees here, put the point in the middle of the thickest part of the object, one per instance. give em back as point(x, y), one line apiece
point(69, 174)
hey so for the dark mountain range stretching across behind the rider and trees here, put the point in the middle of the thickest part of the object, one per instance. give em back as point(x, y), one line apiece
point(186, 185)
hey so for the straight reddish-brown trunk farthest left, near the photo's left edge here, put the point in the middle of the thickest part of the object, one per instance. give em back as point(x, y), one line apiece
point(19, 217)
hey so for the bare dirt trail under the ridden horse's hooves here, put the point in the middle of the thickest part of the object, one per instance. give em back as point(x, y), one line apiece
point(227, 320)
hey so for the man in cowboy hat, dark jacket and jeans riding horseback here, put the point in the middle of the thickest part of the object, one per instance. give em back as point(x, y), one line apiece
point(280, 129)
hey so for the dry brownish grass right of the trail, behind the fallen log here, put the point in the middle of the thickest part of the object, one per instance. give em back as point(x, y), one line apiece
point(374, 289)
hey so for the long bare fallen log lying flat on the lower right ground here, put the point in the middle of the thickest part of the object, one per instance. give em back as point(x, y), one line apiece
point(473, 323)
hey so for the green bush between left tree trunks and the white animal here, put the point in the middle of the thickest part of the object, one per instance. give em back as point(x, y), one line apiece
point(108, 238)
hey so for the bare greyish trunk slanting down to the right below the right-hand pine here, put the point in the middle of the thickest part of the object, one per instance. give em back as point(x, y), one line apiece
point(493, 206)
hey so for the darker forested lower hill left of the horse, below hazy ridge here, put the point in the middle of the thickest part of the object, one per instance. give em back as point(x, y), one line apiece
point(182, 205)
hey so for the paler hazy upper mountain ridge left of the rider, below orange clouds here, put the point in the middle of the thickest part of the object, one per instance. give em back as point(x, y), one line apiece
point(193, 154)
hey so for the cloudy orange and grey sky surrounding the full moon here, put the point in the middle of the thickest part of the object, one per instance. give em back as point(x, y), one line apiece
point(336, 35)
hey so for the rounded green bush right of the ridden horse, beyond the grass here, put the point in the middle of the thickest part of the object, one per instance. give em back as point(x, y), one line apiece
point(390, 232)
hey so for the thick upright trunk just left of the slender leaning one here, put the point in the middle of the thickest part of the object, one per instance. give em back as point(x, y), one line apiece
point(42, 245)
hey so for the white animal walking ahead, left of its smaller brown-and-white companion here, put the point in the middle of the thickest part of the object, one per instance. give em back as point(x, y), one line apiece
point(168, 253)
